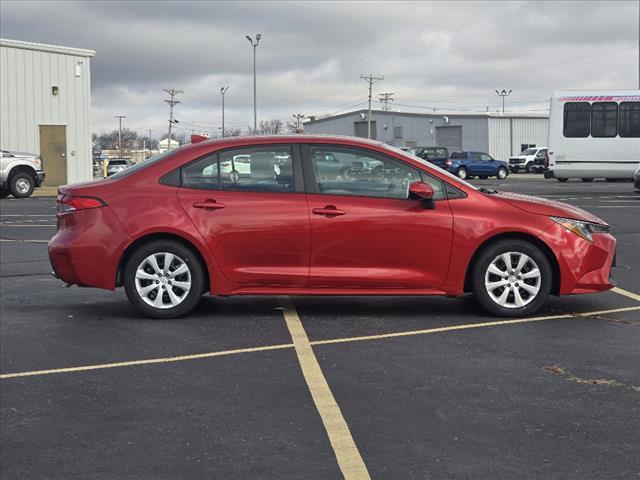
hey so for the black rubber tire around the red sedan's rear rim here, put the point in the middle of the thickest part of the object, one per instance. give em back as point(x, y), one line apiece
point(185, 254)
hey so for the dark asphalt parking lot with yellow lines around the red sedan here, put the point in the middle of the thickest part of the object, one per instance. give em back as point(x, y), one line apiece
point(318, 388)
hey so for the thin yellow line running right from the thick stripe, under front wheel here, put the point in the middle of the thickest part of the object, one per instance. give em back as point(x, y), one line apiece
point(469, 326)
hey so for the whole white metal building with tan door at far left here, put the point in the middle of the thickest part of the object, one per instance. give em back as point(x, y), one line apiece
point(45, 106)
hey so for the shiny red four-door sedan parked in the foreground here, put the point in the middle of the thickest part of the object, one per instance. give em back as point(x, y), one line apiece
point(305, 215)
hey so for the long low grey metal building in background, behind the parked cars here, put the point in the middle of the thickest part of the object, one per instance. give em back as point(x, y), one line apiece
point(499, 135)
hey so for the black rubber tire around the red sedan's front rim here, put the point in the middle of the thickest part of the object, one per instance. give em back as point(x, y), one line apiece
point(515, 246)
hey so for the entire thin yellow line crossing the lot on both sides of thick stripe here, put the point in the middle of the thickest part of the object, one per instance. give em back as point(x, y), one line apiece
point(315, 342)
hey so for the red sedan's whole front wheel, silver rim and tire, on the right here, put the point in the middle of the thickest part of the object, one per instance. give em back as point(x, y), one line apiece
point(512, 278)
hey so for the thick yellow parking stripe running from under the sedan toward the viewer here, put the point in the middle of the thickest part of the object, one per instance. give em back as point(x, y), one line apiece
point(349, 459)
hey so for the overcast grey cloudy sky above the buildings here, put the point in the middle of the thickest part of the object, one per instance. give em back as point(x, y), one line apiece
point(448, 55)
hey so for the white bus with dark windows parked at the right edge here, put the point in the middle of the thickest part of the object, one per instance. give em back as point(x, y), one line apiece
point(594, 134)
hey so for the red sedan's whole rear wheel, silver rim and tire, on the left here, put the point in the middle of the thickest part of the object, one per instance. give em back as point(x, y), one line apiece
point(164, 279)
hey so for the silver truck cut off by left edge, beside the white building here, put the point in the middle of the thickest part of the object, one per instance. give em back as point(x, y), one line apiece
point(20, 173)
